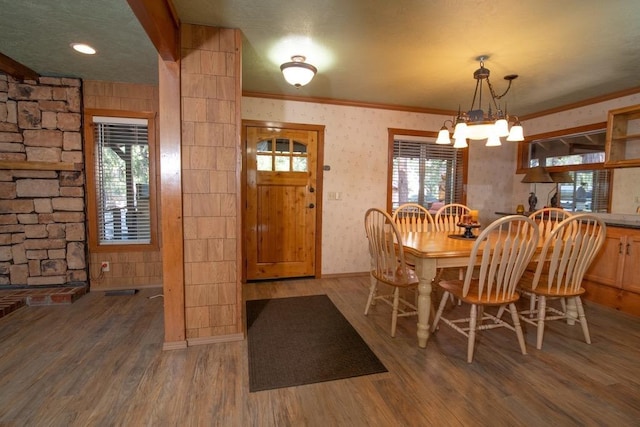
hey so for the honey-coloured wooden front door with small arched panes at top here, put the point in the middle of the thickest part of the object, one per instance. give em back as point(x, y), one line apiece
point(281, 202)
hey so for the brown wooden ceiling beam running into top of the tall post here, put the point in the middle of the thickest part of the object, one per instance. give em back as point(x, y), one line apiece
point(161, 23)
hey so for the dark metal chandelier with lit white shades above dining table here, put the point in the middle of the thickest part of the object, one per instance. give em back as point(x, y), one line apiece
point(476, 124)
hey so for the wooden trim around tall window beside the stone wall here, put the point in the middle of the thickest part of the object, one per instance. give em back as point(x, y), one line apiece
point(90, 173)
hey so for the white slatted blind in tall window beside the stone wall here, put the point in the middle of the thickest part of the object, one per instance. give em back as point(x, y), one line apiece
point(122, 178)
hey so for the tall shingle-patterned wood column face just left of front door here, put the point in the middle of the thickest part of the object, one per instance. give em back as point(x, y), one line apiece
point(210, 143)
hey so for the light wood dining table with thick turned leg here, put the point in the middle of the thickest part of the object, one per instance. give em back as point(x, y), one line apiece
point(430, 251)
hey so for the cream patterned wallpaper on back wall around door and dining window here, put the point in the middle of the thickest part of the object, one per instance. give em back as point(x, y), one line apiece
point(356, 150)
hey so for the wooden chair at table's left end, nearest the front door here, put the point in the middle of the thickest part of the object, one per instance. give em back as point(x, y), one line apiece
point(388, 266)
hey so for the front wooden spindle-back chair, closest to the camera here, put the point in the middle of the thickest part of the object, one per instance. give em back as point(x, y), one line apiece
point(498, 259)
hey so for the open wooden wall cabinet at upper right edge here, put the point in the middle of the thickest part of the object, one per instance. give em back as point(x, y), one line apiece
point(622, 146)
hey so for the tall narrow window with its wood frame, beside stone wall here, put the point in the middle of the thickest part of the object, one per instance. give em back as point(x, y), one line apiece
point(119, 172)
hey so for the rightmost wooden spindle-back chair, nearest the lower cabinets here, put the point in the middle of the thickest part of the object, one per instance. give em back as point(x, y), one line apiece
point(566, 254)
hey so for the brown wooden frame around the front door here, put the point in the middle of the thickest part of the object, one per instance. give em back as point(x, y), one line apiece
point(319, 186)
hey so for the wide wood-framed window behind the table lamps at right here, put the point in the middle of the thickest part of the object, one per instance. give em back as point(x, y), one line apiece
point(580, 153)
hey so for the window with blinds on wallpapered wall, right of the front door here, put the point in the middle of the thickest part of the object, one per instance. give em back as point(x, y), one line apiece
point(426, 173)
